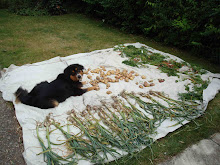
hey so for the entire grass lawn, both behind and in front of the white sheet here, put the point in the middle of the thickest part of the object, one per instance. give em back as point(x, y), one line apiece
point(25, 39)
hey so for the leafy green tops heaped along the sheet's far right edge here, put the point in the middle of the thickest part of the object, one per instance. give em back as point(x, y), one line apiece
point(141, 56)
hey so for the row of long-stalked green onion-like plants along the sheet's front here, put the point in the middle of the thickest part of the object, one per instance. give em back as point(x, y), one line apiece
point(126, 124)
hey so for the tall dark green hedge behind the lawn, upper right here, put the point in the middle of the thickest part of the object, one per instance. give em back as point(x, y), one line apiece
point(187, 24)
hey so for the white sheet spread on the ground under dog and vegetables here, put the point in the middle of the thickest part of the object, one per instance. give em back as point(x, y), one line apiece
point(29, 75)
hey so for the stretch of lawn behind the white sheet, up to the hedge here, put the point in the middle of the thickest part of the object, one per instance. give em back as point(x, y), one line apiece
point(26, 39)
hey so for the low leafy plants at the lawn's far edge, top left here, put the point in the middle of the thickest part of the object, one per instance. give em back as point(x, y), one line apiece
point(36, 8)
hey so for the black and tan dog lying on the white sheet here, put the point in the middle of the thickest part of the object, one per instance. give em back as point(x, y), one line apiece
point(47, 95)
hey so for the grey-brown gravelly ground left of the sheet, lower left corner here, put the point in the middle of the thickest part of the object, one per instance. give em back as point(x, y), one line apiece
point(11, 144)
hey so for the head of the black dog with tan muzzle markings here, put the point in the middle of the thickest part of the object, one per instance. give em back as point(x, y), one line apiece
point(74, 72)
